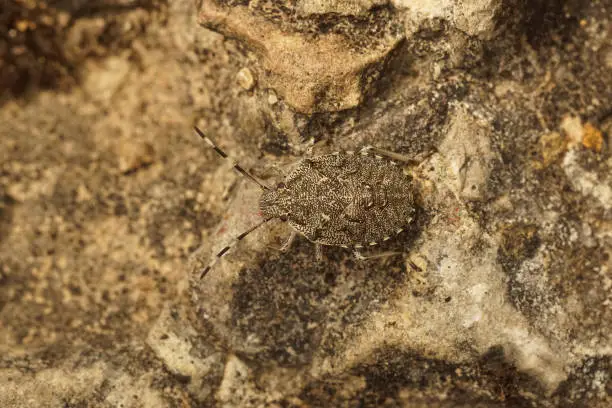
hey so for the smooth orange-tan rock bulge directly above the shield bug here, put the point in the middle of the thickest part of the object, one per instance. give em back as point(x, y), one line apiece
point(327, 72)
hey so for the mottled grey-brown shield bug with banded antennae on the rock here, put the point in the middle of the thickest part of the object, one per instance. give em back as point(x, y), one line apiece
point(348, 199)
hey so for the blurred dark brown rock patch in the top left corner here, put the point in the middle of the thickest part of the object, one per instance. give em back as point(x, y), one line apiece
point(42, 42)
